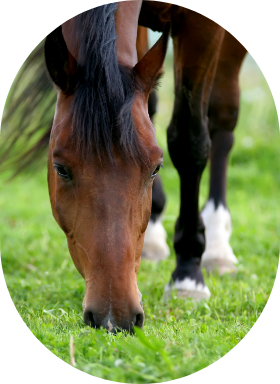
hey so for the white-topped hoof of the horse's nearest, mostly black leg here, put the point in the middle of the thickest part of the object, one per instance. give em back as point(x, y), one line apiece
point(187, 288)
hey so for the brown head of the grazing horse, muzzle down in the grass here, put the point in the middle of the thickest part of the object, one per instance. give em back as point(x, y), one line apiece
point(101, 196)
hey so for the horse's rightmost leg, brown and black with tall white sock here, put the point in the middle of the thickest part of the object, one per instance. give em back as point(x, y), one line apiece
point(223, 114)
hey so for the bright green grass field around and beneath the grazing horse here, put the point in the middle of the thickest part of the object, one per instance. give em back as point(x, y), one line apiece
point(179, 338)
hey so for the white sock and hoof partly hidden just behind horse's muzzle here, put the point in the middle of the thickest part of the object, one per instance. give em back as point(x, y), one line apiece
point(155, 247)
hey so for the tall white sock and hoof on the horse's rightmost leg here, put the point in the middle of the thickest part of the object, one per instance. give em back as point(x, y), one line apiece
point(218, 253)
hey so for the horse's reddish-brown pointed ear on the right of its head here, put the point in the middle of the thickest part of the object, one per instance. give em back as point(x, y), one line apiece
point(149, 68)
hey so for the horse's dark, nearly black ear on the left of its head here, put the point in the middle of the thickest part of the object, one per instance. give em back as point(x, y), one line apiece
point(60, 63)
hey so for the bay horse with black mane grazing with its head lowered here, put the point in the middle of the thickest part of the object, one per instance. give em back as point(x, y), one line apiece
point(103, 156)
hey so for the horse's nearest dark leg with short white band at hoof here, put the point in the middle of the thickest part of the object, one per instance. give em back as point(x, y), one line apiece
point(197, 42)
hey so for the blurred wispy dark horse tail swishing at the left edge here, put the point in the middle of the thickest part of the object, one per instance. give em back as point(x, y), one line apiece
point(28, 115)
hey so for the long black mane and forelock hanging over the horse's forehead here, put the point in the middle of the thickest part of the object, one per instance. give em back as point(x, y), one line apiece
point(101, 109)
